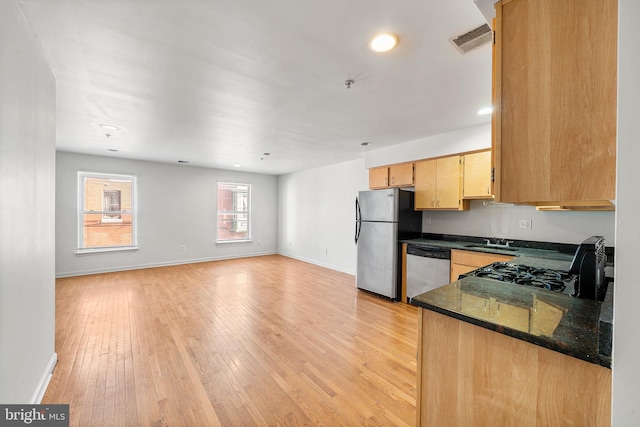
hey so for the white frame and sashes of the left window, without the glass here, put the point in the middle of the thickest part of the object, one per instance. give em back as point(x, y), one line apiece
point(81, 212)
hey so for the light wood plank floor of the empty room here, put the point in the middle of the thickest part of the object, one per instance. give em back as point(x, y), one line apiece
point(257, 341)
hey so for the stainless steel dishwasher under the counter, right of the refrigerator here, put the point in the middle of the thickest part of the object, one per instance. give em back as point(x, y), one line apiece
point(427, 268)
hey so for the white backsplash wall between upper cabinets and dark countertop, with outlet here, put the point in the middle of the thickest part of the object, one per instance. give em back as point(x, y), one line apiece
point(502, 221)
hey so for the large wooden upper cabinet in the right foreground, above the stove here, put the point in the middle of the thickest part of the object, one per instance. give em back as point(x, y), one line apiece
point(554, 134)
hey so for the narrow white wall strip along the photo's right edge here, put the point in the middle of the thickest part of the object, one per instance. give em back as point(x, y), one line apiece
point(626, 340)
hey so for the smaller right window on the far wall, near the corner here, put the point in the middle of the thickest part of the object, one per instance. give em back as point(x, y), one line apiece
point(234, 212)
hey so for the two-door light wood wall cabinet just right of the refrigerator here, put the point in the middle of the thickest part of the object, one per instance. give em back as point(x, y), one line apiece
point(438, 184)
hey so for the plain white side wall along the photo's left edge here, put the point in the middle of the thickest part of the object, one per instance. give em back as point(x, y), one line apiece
point(27, 162)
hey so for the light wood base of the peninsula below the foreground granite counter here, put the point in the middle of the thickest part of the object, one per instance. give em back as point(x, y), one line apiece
point(471, 376)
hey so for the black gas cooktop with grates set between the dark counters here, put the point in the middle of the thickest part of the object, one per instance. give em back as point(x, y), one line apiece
point(542, 278)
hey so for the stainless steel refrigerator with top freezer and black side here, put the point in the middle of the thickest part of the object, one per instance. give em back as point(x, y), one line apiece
point(383, 219)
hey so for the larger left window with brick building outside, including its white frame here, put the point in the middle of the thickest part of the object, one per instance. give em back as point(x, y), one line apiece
point(106, 212)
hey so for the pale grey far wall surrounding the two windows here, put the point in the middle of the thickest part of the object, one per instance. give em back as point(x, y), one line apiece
point(177, 206)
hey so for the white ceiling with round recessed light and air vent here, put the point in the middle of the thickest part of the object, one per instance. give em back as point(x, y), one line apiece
point(220, 82)
